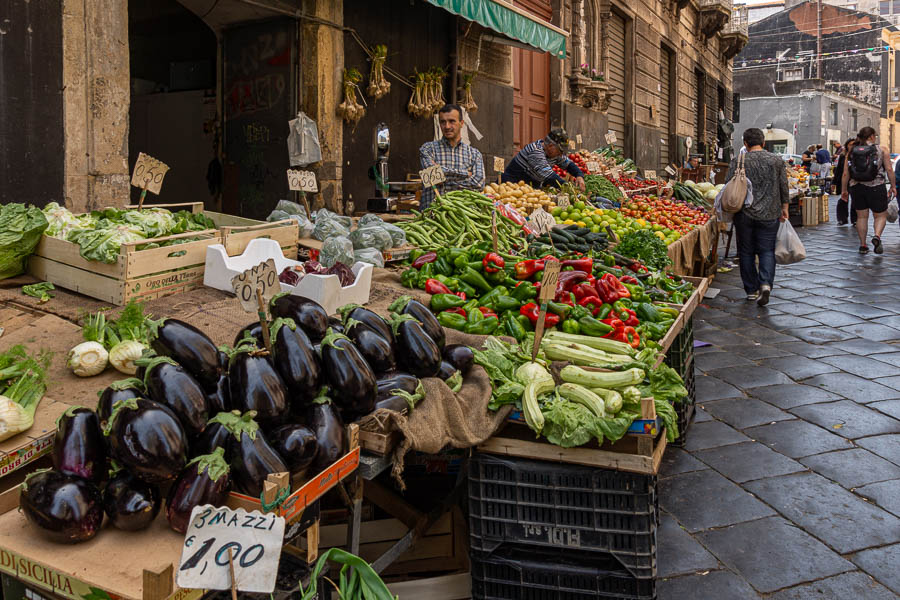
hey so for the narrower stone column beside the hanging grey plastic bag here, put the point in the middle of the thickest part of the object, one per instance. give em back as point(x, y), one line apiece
point(322, 64)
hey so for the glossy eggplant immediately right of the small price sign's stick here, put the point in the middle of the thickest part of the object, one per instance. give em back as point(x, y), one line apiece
point(296, 362)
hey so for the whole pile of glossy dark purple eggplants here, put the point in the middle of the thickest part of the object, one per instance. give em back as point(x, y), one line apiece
point(197, 421)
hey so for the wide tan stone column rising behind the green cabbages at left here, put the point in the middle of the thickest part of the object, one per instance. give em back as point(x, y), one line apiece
point(96, 101)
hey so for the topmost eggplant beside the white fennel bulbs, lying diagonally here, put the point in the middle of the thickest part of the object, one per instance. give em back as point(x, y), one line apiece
point(189, 347)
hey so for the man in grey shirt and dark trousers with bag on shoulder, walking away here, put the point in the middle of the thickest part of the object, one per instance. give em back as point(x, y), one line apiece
point(756, 225)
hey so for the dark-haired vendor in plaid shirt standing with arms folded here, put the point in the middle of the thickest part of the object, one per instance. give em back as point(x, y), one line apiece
point(462, 164)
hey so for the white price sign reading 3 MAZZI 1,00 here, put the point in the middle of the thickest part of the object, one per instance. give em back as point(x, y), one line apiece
point(251, 540)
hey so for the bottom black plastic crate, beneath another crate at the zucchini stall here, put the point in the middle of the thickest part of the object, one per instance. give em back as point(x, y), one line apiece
point(516, 572)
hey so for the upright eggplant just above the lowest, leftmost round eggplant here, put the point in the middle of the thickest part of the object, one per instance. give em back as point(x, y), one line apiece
point(79, 448)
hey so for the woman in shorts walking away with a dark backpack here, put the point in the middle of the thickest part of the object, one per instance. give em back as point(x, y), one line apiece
point(868, 170)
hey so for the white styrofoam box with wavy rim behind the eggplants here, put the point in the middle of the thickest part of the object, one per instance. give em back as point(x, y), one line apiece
point(324, 289)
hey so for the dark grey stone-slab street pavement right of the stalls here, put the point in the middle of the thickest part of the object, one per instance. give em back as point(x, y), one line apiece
point(788, 486)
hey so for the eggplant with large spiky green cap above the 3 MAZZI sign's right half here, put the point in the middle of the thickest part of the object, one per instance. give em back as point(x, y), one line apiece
point(252, 458)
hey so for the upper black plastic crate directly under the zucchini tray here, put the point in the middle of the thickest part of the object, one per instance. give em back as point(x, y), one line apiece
point(564, 506)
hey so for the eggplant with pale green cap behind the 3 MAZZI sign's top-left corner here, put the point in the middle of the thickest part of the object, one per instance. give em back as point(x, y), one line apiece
point(204, 480)
